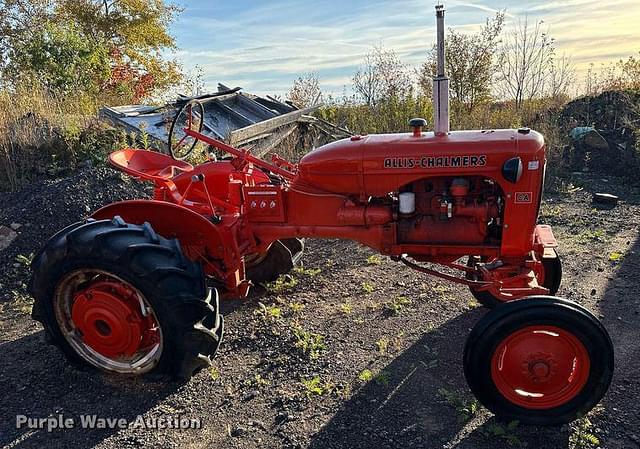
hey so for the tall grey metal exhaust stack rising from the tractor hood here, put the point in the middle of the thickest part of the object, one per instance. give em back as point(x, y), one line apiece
point(441, 82)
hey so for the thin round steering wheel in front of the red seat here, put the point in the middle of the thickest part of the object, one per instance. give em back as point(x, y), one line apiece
point(191, 117)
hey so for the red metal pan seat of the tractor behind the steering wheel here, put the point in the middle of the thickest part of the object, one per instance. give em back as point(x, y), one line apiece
point(149, 165)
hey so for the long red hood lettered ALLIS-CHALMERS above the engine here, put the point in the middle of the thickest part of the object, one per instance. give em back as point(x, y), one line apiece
point(378, 164)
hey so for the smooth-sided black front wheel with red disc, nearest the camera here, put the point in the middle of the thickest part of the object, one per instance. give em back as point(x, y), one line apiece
point(540, 360)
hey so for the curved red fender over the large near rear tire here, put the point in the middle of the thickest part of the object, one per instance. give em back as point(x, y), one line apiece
point(213, 245)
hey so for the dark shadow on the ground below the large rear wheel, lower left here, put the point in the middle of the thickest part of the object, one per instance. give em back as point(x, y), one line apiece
point(35, 381)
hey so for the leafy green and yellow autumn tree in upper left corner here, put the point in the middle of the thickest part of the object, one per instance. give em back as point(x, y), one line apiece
point(127, 37)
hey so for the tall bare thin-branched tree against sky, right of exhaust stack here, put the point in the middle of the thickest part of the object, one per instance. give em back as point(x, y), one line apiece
point(526, 58)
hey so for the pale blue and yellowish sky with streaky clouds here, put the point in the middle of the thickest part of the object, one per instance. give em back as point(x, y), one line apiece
point(264, 45)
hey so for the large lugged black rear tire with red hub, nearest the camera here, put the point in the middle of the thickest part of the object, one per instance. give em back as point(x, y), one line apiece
point(122, 299)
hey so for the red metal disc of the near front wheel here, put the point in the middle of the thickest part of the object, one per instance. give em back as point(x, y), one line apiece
point(540, 367)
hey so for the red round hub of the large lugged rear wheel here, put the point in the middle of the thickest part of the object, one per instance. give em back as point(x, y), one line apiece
point(108, 314)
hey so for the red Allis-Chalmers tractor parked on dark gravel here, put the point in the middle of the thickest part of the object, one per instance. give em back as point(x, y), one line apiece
point(134, 289)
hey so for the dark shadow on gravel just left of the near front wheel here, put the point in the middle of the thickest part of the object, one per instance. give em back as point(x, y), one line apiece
point(421, 401)
